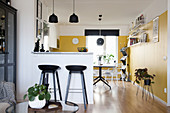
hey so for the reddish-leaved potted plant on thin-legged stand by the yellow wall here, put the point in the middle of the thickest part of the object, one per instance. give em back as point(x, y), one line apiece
point(142, 74)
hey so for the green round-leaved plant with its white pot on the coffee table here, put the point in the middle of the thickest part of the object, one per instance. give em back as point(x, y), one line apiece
point(37, 96)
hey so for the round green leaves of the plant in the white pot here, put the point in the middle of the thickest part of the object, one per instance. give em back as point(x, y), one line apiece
point(37, 90)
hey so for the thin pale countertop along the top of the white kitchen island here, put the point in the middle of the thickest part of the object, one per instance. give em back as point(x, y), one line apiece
point(74, 53)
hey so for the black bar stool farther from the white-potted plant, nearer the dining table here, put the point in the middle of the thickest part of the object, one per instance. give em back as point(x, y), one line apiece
point(77, 69)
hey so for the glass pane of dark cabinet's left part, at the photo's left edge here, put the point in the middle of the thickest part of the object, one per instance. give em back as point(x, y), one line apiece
point(2, 30)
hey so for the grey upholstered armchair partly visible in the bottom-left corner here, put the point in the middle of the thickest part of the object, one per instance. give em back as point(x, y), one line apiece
point(7, 96)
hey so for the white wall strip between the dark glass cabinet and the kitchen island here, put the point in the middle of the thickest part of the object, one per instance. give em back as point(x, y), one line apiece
point(25, 44)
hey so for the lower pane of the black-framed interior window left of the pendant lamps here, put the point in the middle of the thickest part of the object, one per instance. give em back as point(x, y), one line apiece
point(38, 29)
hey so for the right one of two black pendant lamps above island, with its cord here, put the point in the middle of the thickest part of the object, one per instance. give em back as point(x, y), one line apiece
point(73, 17)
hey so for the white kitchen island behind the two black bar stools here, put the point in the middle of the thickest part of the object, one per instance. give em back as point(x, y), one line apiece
point(62, 59)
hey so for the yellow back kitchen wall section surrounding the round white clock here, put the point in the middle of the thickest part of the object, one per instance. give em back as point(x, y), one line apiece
point(66, 44)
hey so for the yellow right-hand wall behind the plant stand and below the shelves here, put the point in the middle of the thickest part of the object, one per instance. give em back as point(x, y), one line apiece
point(150, 55)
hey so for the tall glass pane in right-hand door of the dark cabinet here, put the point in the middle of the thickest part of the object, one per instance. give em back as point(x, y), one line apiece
point(10, 38)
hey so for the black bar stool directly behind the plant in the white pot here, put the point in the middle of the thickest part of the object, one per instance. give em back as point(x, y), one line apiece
point(46, 69)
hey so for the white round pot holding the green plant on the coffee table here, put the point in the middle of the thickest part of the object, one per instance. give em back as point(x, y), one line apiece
point(37, 104)
